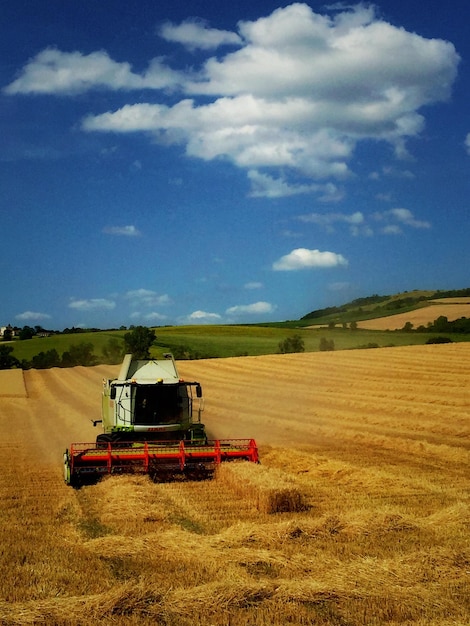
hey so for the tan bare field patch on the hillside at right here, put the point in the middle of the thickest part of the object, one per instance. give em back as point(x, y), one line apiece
point(420, 317)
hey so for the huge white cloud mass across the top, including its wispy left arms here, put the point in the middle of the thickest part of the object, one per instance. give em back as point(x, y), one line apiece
point(297, 94)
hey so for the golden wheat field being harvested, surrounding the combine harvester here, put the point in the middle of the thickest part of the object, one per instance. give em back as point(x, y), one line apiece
point(358, 514)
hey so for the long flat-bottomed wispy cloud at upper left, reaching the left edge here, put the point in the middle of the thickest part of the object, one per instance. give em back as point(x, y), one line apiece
point(68, 73)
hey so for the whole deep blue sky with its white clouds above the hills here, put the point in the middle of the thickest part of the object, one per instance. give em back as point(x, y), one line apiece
point(212, 162)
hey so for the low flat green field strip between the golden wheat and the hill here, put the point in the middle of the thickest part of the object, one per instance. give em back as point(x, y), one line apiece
point(226, 341)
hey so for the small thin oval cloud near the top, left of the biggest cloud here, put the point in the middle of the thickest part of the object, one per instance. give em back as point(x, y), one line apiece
point(197, 34)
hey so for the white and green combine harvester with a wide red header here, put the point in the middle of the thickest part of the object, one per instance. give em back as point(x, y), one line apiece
point(152, 425)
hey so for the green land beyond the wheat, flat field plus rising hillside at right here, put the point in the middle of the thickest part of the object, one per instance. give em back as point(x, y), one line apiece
point(218, 341)
